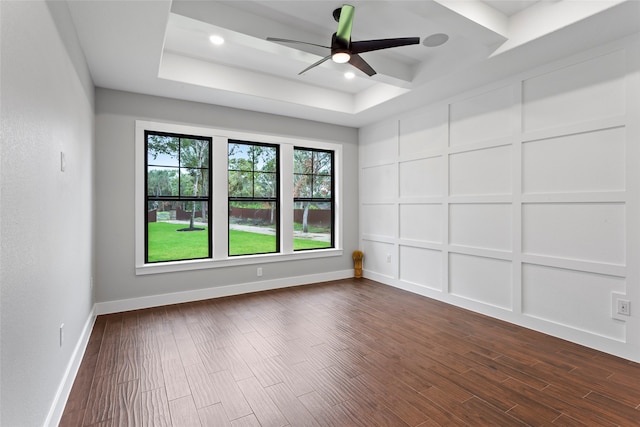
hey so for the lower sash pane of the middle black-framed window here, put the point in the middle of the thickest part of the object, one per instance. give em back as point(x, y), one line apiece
point(252, 228)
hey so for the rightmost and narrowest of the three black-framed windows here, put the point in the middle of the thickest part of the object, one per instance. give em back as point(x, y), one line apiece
point(313, 199)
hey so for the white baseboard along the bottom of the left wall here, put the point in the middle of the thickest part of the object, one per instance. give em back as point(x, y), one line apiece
point(64, 389)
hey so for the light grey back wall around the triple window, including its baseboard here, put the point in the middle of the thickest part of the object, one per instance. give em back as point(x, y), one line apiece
point(116, 285)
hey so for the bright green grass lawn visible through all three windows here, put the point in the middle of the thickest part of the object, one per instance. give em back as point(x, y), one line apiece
point(167, 244)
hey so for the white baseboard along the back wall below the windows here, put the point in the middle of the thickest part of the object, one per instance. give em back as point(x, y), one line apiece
point(216, 292)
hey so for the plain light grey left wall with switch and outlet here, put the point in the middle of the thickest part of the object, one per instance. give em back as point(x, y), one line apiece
point(45, 214)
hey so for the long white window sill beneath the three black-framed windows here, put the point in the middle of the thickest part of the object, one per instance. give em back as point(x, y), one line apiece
point(202, 264)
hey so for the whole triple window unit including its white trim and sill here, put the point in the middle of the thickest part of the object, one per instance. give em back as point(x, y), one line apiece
point(216, 184)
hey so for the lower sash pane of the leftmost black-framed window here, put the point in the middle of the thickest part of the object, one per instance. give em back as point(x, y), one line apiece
point(177, 230)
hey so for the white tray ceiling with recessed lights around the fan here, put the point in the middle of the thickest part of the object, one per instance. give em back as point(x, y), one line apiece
point(161, 47)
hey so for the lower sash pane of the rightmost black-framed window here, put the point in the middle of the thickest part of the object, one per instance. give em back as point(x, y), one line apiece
point(312, 225)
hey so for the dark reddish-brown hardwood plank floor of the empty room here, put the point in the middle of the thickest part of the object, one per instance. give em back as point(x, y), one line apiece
point(344, 353)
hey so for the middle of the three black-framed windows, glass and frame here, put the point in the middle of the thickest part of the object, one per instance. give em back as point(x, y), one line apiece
point(254, 202)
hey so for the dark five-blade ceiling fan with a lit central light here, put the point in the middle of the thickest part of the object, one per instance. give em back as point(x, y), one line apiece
point(344, 50)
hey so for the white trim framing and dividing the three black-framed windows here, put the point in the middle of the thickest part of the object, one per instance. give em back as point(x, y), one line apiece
point(220, 198)
